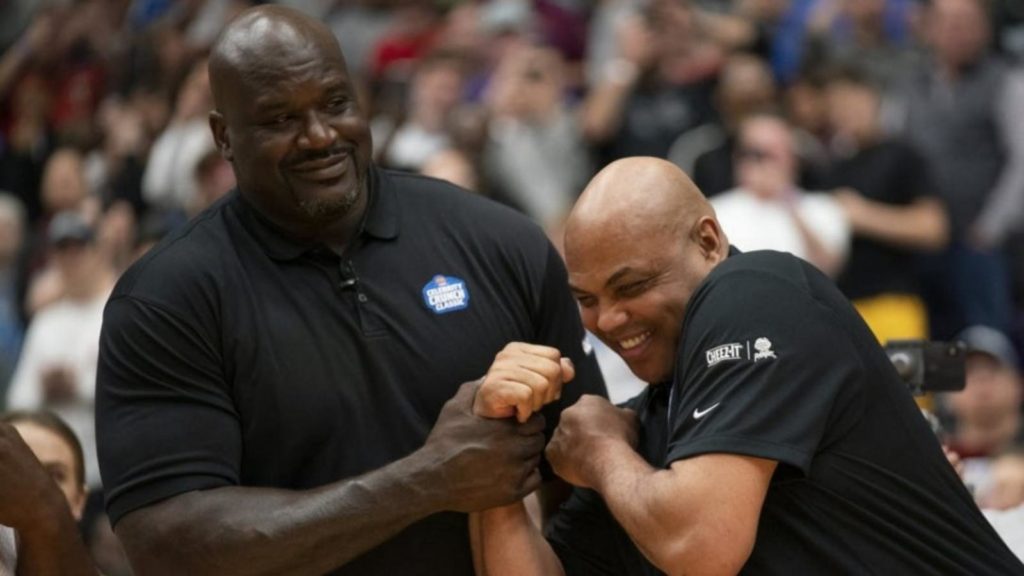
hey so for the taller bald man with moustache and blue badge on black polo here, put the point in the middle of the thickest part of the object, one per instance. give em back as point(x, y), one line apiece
point(279, 386)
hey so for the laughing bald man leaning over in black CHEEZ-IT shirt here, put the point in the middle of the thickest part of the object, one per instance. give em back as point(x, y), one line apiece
point(778, 438)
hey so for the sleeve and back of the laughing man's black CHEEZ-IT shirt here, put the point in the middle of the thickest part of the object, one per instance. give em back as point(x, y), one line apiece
point(775, 363)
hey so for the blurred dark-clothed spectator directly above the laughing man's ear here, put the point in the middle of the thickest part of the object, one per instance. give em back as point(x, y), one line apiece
point(745, 87)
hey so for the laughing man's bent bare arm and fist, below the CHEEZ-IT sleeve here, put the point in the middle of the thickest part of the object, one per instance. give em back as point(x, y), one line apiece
point(700, 517)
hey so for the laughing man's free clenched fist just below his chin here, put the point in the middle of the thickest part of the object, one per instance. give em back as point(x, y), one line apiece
point(585, 430)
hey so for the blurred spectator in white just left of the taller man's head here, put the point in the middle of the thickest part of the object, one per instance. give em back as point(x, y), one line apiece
point(169, 183)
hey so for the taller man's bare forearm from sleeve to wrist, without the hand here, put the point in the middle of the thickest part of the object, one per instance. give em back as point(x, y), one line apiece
point(239, 530)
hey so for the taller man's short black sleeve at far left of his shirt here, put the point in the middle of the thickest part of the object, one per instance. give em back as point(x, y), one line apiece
point(165, 422)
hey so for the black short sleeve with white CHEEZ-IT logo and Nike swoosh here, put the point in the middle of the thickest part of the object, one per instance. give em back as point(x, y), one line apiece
point(765, 371)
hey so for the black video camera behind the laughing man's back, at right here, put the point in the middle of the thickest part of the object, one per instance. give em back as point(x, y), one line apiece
point(926, 366)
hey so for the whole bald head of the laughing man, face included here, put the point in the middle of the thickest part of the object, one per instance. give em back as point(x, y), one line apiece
point(638, 244)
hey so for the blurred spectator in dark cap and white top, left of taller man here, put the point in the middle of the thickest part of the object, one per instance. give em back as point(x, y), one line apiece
point(58, 367)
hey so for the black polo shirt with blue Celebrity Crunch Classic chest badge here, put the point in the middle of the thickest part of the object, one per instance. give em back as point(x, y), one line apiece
point(233, 356)
